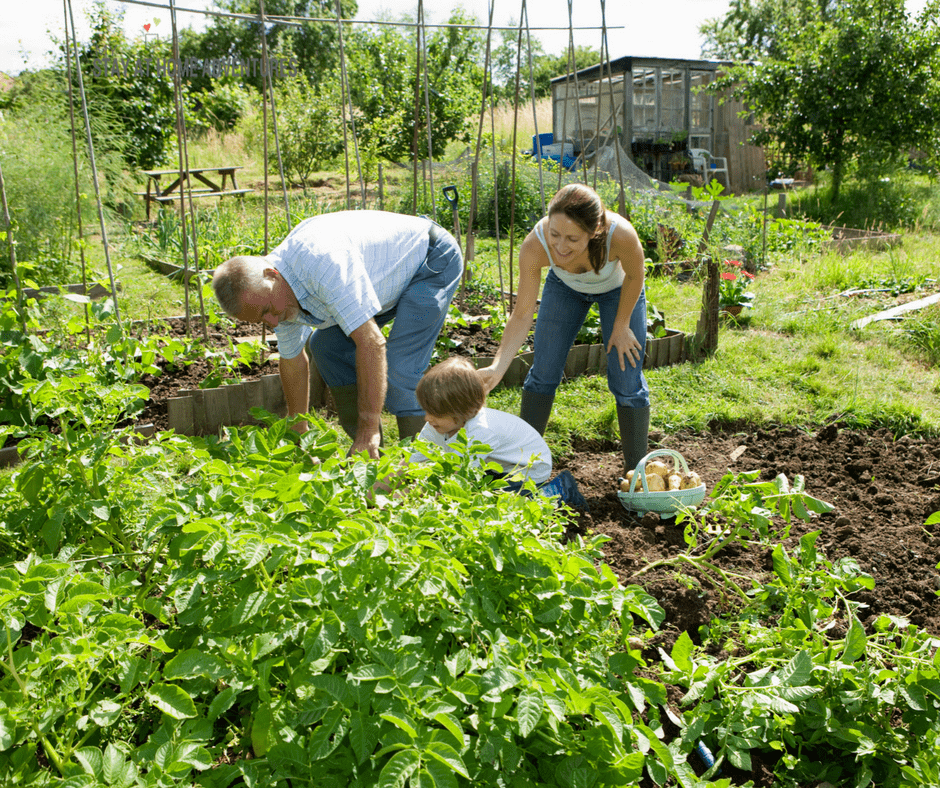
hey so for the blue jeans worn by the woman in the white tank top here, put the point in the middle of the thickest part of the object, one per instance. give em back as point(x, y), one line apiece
point(561, 314)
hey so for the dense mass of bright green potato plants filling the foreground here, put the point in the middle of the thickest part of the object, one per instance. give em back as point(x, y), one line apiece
point(243, 610)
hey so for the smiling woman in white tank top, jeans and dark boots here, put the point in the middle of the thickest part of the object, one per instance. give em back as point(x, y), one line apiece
point(593, 256)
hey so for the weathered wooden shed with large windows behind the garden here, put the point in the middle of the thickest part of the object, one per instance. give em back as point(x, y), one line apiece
point(671, 115)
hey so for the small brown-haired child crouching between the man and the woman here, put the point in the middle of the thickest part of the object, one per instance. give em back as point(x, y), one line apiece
point(453, 397)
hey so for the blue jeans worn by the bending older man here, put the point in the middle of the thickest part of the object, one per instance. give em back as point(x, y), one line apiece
point(419, 316)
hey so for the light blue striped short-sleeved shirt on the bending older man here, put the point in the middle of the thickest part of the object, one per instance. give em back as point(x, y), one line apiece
point(345, 268)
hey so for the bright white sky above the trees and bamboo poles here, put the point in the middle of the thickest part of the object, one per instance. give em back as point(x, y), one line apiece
point(663, 28)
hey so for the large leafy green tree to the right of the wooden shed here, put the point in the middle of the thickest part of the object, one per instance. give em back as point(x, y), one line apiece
point(854, 87)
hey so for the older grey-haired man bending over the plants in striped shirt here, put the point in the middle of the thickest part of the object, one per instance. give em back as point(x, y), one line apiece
point(346, 275)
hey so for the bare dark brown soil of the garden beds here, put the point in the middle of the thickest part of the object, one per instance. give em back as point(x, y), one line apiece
point(882, 491)
